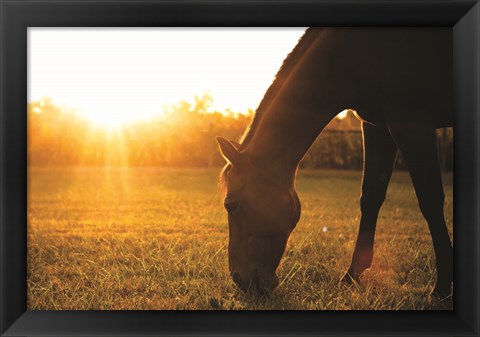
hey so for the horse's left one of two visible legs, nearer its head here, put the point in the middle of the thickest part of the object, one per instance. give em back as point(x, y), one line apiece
point(378, 162)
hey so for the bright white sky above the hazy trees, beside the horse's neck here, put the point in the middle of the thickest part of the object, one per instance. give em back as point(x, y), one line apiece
point(117, 75)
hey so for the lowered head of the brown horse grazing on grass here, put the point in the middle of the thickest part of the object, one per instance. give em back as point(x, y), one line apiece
point(262, 213)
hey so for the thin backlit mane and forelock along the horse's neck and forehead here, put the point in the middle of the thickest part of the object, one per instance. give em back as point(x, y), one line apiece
point(277, 83)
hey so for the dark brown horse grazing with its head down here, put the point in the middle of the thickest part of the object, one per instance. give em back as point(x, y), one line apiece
point(399, 81)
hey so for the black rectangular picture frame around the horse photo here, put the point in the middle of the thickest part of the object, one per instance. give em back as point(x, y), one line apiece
point(463, 16)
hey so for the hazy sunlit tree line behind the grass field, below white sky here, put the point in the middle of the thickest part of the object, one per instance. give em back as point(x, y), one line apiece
point(182, 136)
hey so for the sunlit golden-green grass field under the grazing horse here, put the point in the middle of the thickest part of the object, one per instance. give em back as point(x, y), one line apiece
point(102, 238)
